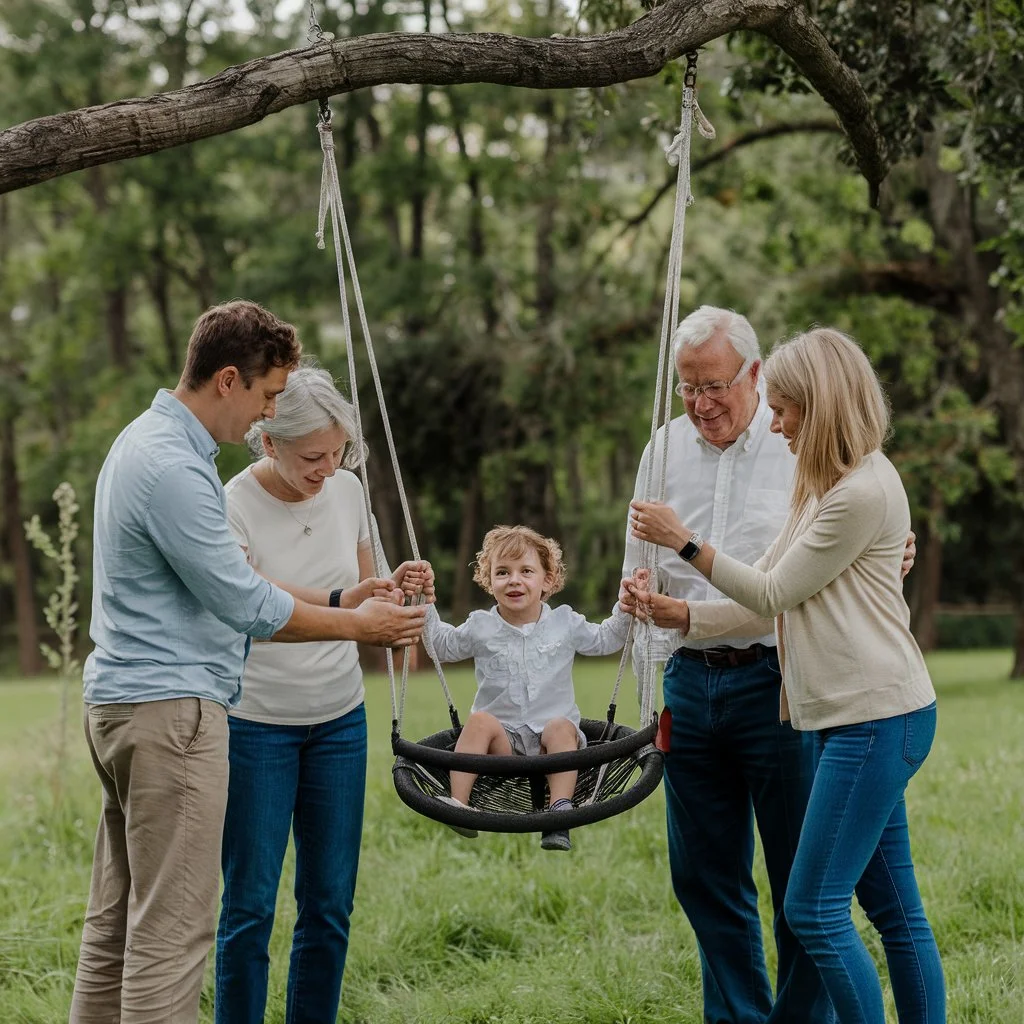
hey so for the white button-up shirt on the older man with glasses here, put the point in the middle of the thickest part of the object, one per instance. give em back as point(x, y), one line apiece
point(738, 499)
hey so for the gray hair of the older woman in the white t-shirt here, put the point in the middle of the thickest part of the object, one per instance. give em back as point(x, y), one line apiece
point(311, 403)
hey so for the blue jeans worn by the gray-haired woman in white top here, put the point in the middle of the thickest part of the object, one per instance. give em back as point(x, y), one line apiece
point(311, 779)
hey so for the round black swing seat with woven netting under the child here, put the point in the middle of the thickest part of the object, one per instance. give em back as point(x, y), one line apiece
point(619, 767)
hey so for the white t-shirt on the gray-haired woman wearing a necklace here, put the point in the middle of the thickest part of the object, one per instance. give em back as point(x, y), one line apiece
point(301, 684)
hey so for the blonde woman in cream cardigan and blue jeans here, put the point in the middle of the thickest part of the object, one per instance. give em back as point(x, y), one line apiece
point(852, 672)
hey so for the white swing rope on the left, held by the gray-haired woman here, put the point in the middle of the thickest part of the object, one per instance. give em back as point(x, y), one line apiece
point(331, 202)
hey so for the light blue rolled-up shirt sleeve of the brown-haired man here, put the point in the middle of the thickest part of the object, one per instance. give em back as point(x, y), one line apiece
point(186, 520)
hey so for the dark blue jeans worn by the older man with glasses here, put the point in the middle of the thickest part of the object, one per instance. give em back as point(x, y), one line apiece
point(733, 762)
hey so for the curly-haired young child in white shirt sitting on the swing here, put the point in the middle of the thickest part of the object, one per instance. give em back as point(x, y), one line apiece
point(523, 652)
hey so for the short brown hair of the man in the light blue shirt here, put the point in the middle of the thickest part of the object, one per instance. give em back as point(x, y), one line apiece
point(239, 334)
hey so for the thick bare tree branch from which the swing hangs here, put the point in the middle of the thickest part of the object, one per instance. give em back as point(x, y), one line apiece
point(50, 147)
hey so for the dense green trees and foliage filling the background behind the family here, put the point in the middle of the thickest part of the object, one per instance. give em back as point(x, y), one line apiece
point(513, 255)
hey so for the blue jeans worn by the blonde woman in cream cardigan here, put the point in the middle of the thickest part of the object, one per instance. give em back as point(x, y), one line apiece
point(856, 838)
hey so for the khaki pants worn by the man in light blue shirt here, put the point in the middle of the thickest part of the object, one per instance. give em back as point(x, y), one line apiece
point(153, 902)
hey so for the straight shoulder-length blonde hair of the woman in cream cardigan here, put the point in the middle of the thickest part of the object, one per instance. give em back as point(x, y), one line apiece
point(844, 415)
